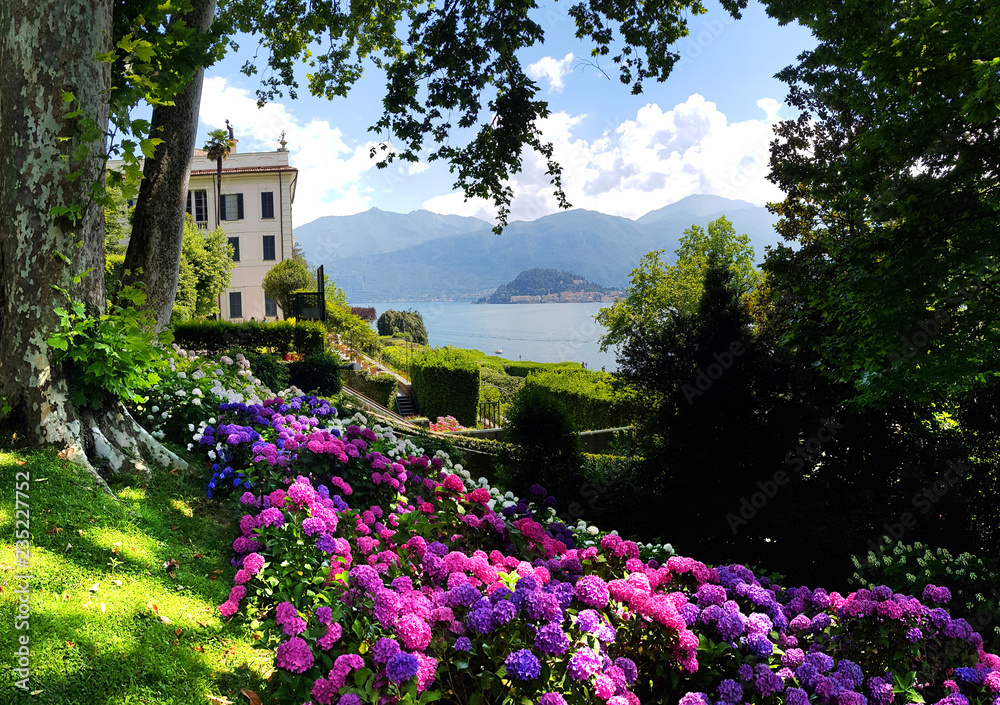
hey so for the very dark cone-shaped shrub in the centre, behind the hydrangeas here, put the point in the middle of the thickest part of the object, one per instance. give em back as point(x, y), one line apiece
point(543, 447)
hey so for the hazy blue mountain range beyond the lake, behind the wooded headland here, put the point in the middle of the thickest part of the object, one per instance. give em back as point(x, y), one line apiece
point(383, 256)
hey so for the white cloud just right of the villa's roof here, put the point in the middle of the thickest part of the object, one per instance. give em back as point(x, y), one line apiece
point(329, 167)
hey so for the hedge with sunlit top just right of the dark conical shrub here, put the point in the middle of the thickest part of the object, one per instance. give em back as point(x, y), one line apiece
point(588, 396)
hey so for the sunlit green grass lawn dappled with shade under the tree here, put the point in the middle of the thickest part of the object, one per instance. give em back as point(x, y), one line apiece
point(107, 622)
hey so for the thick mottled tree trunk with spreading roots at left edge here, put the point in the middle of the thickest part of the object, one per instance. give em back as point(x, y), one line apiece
point(48, 47)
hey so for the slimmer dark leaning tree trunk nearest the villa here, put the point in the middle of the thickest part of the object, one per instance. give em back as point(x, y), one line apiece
point(154, 250)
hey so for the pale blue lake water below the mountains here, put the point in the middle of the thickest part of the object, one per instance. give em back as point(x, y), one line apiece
point(538, 332)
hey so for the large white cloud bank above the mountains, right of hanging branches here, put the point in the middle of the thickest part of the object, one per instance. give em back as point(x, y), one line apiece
point(644, 163)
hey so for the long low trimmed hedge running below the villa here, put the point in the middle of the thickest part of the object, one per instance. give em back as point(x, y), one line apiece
point(304, 337)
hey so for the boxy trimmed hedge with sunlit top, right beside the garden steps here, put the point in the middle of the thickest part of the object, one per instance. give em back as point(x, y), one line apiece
point(446, 381)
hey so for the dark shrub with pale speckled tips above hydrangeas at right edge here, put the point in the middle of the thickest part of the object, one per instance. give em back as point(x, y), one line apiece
point(973, 582)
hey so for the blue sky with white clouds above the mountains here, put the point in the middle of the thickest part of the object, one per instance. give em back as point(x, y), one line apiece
point(705, 130)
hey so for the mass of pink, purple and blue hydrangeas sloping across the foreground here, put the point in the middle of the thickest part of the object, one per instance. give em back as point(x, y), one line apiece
point(380, 574)
